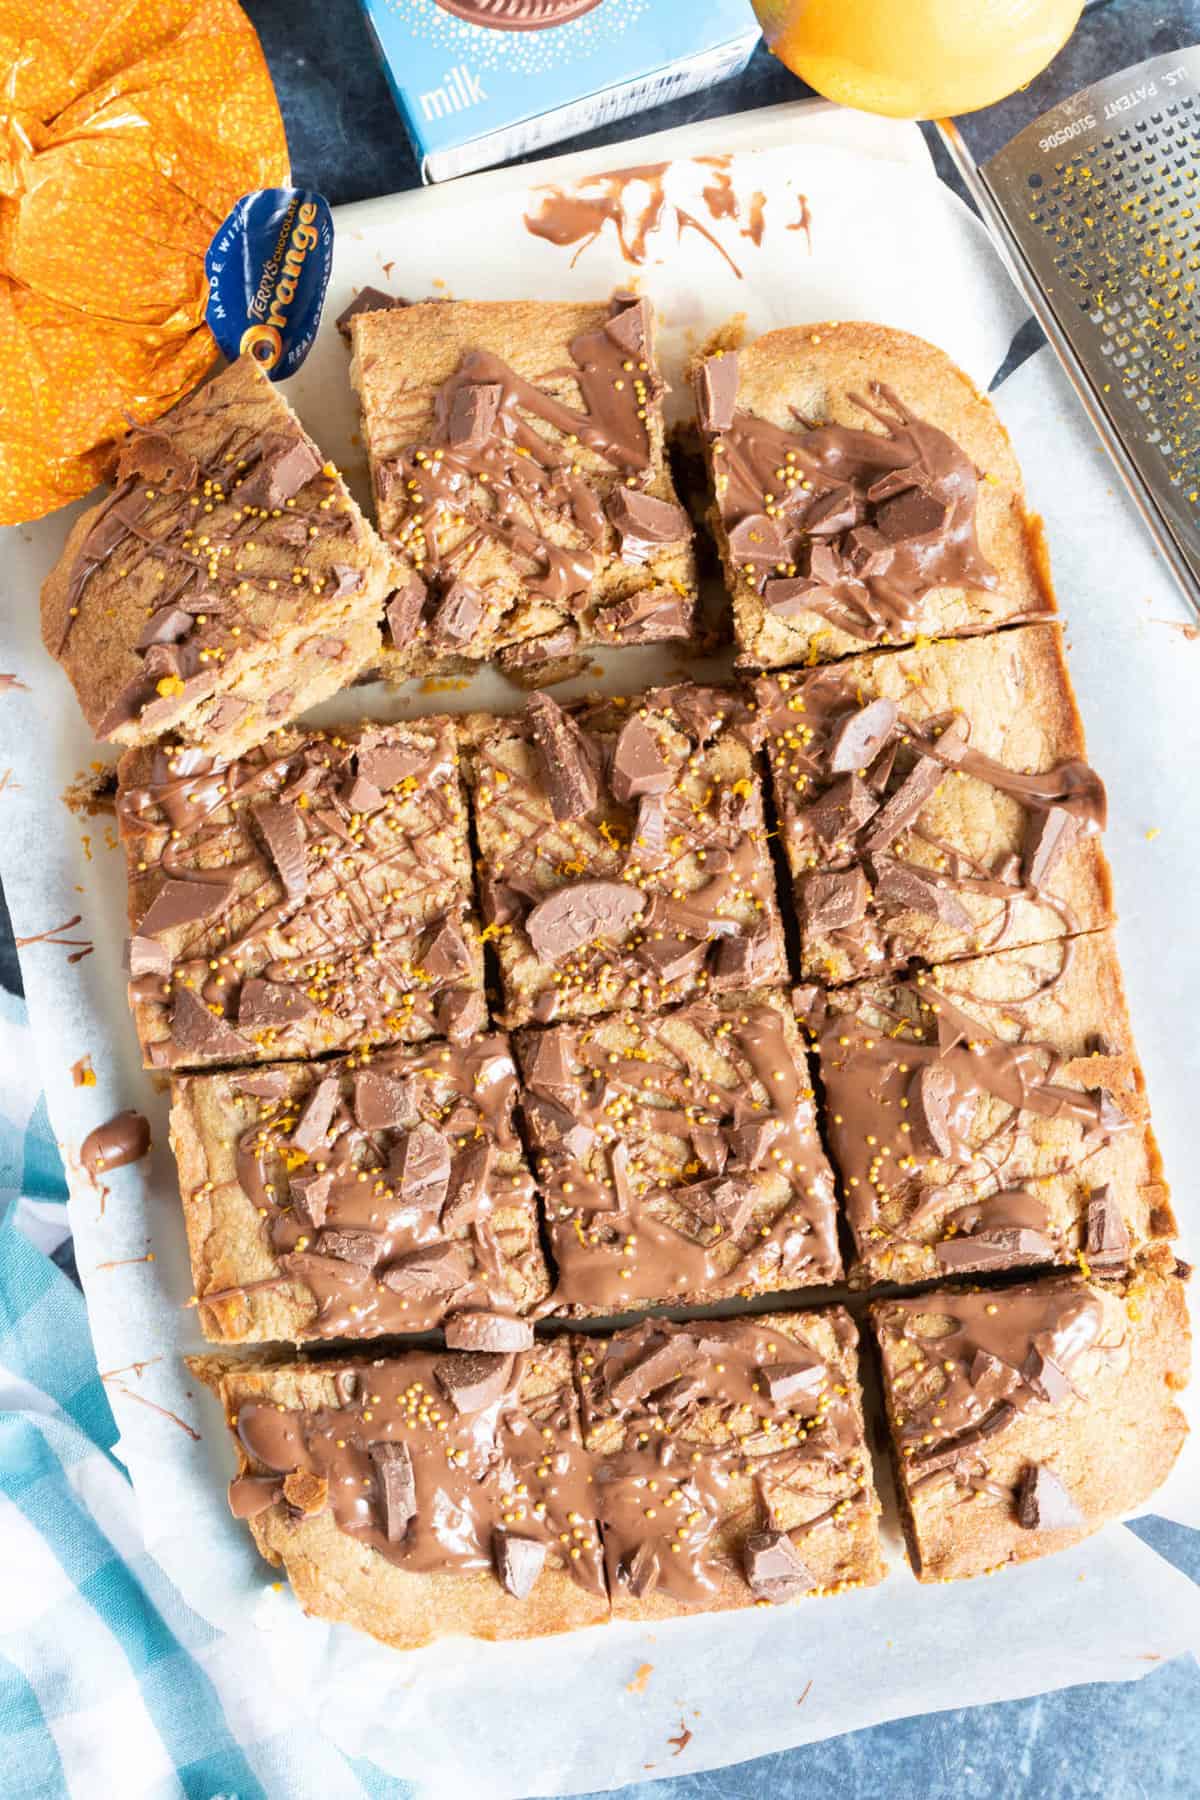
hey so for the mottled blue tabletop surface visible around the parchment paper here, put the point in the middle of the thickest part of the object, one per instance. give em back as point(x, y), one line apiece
point(1118, 1743)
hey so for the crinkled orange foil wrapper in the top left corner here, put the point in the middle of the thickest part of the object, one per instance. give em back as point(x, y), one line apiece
point(127, 134)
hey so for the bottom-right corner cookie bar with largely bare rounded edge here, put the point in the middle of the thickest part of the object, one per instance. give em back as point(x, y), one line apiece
point(1026, 1417)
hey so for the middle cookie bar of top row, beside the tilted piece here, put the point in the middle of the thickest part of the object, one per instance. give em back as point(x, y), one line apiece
point(519, 465)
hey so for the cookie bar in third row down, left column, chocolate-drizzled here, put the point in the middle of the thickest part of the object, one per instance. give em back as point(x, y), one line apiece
point(346, 1200)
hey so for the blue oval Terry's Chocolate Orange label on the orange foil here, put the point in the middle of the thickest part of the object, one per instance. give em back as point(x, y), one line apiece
point(269, 271)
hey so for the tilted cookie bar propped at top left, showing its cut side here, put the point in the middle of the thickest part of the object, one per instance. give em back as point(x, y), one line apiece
point(226, 584)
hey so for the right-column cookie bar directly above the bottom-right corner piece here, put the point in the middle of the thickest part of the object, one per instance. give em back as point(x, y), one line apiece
point(992, 1113)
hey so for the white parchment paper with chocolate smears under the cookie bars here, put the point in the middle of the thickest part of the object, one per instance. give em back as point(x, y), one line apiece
point(613, 1705)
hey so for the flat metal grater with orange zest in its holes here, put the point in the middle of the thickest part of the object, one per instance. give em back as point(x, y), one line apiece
point(1097, 208)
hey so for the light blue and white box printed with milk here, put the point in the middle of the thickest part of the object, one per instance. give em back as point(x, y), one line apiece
point(481, 82)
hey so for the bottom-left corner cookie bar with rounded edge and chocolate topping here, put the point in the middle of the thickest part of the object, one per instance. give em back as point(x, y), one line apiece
point(424, 1497)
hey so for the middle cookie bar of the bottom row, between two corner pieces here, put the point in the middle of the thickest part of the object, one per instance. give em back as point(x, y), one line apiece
point(730, 1462)
